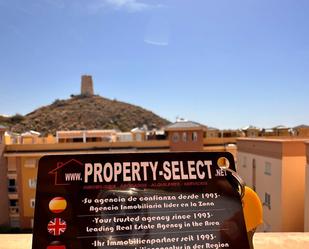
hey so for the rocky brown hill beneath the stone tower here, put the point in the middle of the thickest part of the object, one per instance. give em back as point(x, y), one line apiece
point(84, 112)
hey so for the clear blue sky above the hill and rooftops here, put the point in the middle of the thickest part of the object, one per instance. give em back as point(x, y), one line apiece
point(224, 63)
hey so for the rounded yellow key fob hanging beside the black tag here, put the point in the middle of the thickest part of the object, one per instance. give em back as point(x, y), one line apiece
point(252, 208)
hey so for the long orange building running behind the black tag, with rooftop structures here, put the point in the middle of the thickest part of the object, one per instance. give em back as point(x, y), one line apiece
point(19, 161)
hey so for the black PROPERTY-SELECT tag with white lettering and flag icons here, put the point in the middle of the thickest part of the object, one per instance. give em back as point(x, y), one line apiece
point(140, 201)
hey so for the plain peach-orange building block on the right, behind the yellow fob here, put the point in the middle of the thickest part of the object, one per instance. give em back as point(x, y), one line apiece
point(275, 169)
